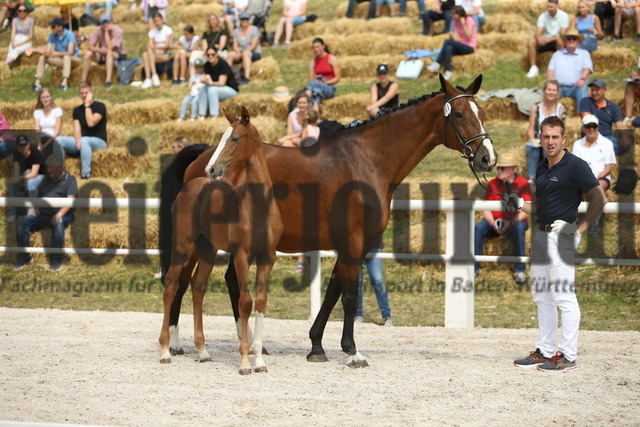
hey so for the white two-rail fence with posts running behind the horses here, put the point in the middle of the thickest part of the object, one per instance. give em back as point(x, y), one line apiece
point(459, 277)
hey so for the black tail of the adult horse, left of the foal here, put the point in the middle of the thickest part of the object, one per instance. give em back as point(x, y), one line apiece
point(171, 184)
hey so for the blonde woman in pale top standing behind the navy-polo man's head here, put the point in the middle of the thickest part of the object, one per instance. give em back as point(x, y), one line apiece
point(549, 106)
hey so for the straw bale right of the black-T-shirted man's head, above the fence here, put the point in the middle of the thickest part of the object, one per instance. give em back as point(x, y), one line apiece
point(147, 111)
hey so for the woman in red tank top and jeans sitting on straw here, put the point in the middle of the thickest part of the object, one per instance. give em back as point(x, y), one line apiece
point(324, 73)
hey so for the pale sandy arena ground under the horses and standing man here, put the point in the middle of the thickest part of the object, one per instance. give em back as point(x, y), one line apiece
point(103, 368)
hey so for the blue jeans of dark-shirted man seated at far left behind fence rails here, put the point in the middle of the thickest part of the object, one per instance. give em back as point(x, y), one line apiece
point(28, 224)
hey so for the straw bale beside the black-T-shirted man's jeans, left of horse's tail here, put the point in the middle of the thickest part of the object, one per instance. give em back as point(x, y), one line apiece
point(112, 162)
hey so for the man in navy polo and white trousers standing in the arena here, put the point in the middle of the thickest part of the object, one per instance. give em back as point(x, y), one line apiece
point(561, 181)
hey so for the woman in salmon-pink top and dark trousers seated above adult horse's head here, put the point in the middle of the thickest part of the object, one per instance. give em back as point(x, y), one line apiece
point(463, 41)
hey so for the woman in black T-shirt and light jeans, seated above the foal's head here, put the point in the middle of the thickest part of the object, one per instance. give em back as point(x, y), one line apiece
point(220, 84)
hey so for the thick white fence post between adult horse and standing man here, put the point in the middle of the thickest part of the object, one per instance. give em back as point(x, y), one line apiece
point(459, 277)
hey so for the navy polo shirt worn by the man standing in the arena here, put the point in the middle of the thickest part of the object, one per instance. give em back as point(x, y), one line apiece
point(559, 189)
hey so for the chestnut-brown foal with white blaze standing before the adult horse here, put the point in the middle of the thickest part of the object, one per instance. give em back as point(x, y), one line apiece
point(212, 214)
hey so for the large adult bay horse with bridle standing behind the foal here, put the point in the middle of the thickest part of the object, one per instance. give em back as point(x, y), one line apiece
point(337, 193)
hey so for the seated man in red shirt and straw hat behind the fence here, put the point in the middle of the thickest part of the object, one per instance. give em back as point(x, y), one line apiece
point(499, 223)
